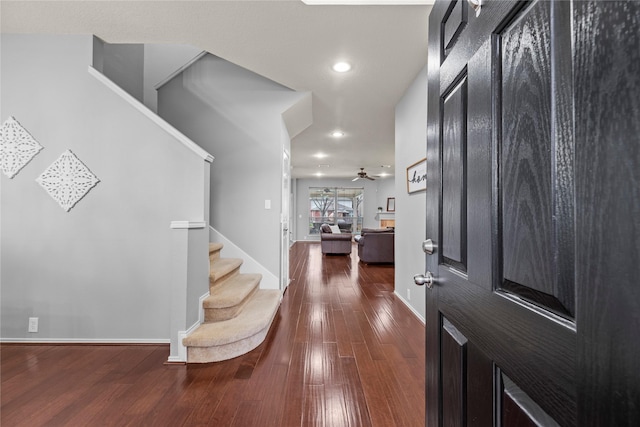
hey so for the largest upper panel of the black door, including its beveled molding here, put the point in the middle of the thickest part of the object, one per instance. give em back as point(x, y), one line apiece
point(529, 168)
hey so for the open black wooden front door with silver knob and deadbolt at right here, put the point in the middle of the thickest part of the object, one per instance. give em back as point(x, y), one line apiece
point(533, 202)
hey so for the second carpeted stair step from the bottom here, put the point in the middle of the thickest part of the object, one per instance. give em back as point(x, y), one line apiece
point(226, 300)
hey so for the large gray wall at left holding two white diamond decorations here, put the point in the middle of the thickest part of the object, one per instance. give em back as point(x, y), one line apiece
point(101, 271)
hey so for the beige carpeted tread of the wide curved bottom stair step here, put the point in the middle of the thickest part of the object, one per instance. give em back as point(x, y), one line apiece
point(254, 318)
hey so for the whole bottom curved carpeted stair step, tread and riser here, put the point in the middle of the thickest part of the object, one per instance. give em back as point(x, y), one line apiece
point(213, 342)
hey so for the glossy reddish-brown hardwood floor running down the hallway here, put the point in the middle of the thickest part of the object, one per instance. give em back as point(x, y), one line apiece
point(343, 351)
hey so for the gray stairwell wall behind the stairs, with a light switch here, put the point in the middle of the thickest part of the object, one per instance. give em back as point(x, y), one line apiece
point(236, 115)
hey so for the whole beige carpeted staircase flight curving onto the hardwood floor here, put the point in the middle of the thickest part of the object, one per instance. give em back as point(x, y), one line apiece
point(237, 314)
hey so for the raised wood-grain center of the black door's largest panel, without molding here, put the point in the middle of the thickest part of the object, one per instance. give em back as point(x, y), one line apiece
point(525, 153)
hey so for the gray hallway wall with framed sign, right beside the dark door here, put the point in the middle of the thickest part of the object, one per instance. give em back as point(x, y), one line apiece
point(411, 137)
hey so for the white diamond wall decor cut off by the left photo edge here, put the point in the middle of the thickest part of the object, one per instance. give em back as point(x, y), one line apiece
point(17, 147)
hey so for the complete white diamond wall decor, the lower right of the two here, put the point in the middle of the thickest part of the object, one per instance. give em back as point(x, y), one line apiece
point(67, 180)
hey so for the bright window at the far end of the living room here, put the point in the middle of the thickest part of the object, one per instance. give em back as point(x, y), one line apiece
point(337, 206)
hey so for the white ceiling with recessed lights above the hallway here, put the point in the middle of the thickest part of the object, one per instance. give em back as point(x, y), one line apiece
point(288, 41)
